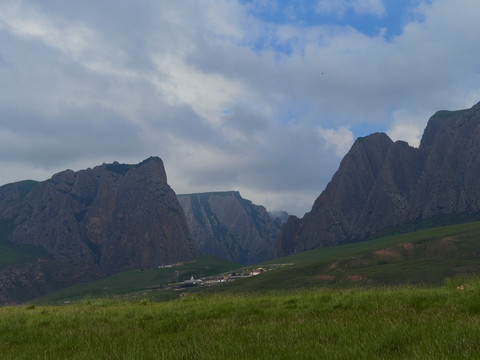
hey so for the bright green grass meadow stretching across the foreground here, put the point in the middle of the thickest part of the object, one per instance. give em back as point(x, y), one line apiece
point(388, 323)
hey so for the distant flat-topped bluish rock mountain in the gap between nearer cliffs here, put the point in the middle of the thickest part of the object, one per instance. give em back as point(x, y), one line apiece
point(226, 225)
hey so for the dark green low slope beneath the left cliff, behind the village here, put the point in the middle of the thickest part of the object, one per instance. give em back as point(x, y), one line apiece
point(145, 282)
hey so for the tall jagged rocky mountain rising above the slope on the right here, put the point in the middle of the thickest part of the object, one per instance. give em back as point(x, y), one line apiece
point(381, 183)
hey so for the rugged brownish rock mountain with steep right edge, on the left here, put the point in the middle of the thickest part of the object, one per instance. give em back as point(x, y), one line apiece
point(95, 222)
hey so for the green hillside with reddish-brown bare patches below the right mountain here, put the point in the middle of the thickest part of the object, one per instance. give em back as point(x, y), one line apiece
point(423, 257)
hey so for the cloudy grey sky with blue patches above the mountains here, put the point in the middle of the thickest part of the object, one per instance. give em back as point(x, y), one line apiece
point(260, 96)
